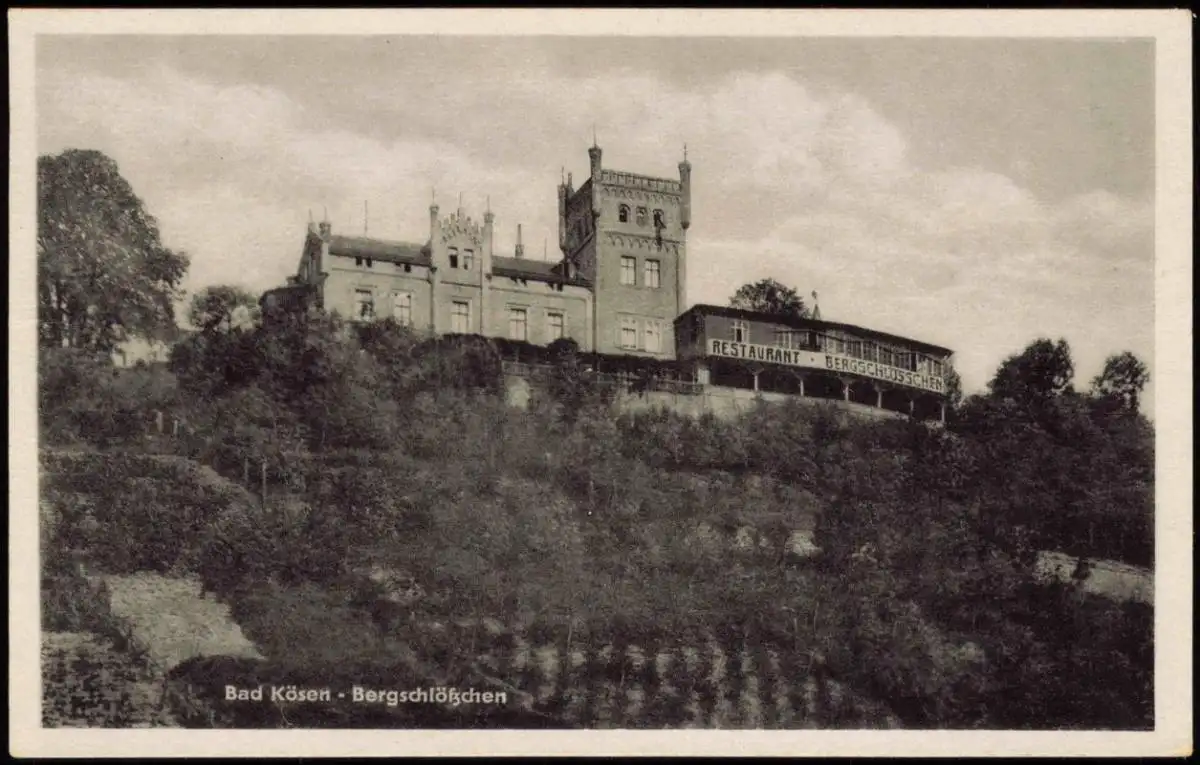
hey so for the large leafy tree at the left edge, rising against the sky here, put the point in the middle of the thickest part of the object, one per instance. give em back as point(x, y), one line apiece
point(104, 272)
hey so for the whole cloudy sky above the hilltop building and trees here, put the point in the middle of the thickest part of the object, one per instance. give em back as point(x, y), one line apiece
point(969, 192)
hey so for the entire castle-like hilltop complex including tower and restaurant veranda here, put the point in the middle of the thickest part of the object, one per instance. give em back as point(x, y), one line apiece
point(620, 291)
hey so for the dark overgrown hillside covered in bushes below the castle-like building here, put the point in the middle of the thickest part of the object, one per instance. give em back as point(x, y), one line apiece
point(391, 496)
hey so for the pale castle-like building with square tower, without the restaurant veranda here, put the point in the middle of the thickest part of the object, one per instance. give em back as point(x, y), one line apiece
point(616, 290)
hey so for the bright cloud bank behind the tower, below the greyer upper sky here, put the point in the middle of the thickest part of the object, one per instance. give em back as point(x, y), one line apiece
point(813, 188)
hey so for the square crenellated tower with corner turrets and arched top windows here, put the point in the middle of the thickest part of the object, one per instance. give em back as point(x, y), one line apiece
point(625, 233)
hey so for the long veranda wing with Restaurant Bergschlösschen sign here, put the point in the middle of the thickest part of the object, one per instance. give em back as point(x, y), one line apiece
point(809, 358)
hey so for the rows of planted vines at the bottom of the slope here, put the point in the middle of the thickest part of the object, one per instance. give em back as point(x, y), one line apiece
point(740, 682)
